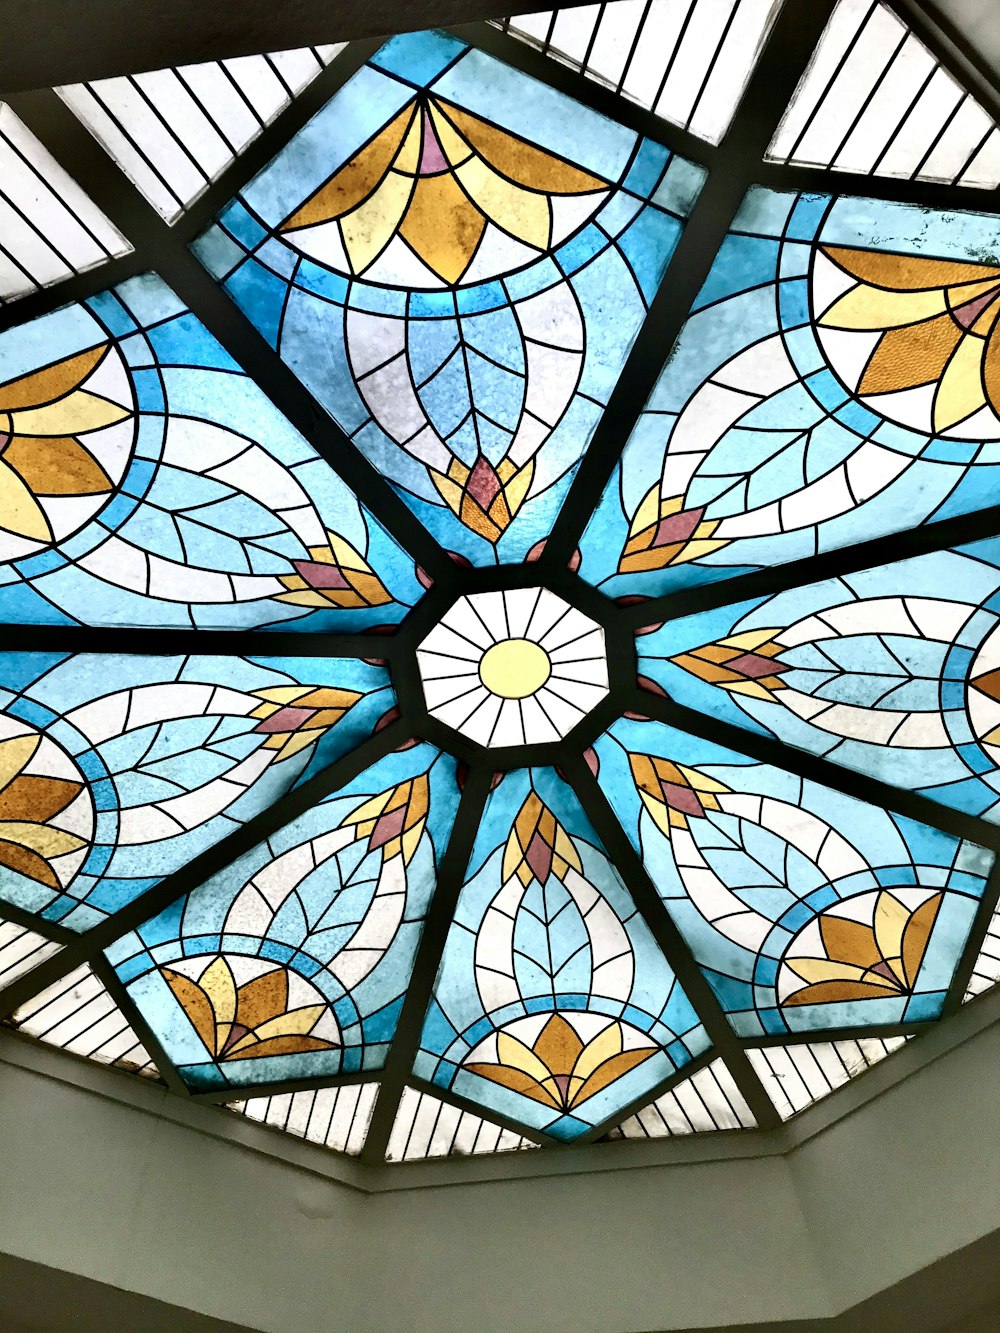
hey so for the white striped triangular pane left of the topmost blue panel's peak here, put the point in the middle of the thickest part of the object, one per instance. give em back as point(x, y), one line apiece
point(175, 131)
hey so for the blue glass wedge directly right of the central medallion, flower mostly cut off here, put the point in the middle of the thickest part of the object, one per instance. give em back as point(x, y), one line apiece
point(894, 672)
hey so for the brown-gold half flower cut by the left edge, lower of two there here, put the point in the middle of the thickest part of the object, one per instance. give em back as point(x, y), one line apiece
point(29, 844)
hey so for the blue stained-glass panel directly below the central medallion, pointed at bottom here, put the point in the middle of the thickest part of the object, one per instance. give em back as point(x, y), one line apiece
point(554, 1006)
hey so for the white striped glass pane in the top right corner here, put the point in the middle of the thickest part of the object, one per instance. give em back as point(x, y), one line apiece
point(875, 101)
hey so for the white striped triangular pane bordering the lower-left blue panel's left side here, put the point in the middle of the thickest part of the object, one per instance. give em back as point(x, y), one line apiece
point(77, 1014)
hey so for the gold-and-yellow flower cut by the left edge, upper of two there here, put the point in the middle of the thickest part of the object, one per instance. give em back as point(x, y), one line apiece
point(42, 418)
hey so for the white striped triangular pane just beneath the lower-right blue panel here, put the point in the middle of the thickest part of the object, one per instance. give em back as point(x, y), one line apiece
point(799, 1075)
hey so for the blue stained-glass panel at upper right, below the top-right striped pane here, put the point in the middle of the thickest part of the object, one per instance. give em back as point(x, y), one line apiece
point(834, 383)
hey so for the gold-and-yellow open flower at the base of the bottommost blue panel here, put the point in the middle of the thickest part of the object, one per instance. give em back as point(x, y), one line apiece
point(561, 1070)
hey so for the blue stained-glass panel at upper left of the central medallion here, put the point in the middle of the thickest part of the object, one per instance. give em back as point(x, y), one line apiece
point(150, 483)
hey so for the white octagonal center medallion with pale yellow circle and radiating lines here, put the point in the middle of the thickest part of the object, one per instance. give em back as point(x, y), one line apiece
point(514, 668)
